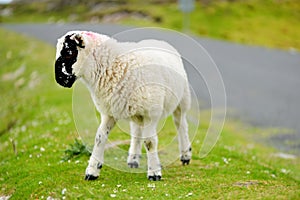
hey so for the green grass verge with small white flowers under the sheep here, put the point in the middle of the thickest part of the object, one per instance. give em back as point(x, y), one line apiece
point(37, 127)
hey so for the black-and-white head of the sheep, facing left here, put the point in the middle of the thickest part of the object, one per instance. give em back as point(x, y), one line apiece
point(66, 57)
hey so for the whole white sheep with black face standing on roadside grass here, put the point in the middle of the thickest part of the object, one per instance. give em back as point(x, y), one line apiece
point(140, 82)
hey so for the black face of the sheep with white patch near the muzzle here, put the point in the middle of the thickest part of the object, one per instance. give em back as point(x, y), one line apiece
point(63, 65)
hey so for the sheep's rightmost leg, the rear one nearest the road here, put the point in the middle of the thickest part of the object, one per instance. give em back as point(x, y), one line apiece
point(183, 137)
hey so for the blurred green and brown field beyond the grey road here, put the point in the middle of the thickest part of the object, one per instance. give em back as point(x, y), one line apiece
point(268, 23)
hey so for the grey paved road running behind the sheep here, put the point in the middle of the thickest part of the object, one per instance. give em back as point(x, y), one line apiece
point(262, 85)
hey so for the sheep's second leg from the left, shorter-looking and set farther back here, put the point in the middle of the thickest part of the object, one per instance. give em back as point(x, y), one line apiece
point(134, 153)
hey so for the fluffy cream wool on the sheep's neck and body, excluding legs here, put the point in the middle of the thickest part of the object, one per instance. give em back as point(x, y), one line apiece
point(128, 80)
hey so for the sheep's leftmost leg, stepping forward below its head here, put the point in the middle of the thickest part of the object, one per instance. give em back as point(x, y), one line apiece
point(97, 158)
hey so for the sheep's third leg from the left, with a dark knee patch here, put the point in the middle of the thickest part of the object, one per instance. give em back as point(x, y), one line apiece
point(151, 143)
